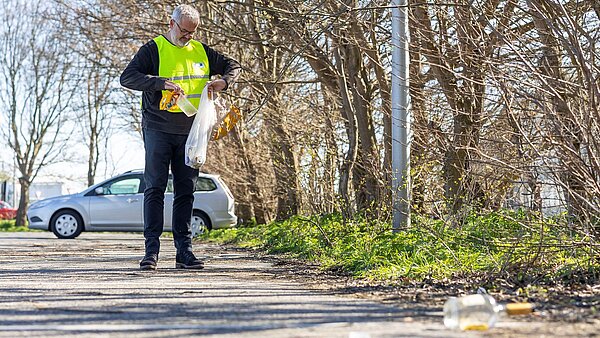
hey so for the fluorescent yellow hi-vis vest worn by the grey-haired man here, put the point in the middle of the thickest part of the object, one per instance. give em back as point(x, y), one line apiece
point(187, 66)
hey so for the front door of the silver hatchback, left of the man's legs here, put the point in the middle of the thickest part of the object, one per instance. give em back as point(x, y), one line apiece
point(118, 204)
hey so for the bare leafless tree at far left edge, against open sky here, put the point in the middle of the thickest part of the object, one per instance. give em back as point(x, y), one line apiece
point(37, 87)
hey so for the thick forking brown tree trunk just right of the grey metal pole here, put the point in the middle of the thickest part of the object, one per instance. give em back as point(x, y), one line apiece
point(464, 97)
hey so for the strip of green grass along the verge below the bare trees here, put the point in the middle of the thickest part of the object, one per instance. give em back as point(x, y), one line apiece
point(498, 244)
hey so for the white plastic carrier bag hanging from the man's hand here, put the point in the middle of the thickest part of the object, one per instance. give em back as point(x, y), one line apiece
point(197, 142)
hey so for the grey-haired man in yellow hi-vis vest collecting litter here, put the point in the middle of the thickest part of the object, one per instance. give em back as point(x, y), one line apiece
point(173, 62)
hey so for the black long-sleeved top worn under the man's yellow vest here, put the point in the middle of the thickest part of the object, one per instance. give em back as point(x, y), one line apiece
point(142, 74)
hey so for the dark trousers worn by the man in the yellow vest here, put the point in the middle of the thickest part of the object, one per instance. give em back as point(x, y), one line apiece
point(162, 150)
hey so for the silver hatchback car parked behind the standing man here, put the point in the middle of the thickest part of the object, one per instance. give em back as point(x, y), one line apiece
point(117, 205)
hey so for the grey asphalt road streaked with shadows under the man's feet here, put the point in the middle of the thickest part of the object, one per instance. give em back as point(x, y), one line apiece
point(91, 286)
